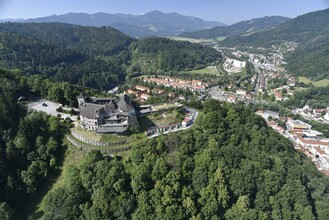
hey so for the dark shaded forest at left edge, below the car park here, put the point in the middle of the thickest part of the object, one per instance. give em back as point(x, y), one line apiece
point(30, 148)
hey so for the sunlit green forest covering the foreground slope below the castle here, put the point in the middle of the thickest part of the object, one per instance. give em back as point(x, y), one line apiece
point(230, 165)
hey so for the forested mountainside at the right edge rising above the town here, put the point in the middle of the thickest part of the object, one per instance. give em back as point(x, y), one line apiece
point(310, 31)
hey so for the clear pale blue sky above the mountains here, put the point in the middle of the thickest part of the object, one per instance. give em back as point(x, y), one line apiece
point(227, 11)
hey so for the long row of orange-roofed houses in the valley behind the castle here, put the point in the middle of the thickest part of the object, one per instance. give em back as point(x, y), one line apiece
point(192, 85)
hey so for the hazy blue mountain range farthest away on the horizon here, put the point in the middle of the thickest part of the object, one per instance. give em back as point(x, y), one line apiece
point(154, 23)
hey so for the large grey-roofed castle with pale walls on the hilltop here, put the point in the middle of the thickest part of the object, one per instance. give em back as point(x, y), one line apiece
point(107, 115)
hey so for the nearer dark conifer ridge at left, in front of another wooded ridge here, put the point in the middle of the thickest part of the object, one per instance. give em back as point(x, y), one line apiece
point(33, 56)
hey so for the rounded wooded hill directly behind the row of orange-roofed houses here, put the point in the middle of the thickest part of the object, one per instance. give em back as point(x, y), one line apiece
point(152, 54)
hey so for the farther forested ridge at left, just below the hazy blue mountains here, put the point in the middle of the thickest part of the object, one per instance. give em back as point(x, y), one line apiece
point(89, 40)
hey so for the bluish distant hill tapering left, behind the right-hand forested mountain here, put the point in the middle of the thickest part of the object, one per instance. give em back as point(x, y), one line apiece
point(240, 28)
